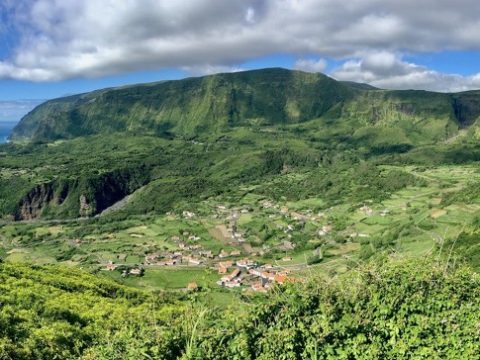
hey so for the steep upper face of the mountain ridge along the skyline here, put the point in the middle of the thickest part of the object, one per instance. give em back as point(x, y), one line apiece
point(214, 104)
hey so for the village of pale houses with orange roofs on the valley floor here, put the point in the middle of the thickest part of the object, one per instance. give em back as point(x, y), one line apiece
point(242, 266)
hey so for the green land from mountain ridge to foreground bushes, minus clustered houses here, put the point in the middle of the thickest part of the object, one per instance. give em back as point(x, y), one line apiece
point(353, 189)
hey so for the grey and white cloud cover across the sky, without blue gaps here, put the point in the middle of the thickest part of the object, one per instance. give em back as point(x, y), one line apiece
point(59, 39)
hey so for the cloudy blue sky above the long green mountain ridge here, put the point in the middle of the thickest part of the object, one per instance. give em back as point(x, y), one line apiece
point(52, 48)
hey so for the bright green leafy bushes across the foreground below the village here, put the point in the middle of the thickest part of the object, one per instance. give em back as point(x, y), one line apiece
point(400, 309)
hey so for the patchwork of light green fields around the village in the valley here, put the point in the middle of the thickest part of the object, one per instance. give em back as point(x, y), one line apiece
point(300, 238)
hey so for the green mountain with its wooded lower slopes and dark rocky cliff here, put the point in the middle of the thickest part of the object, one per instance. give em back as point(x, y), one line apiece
point(201, 136)
